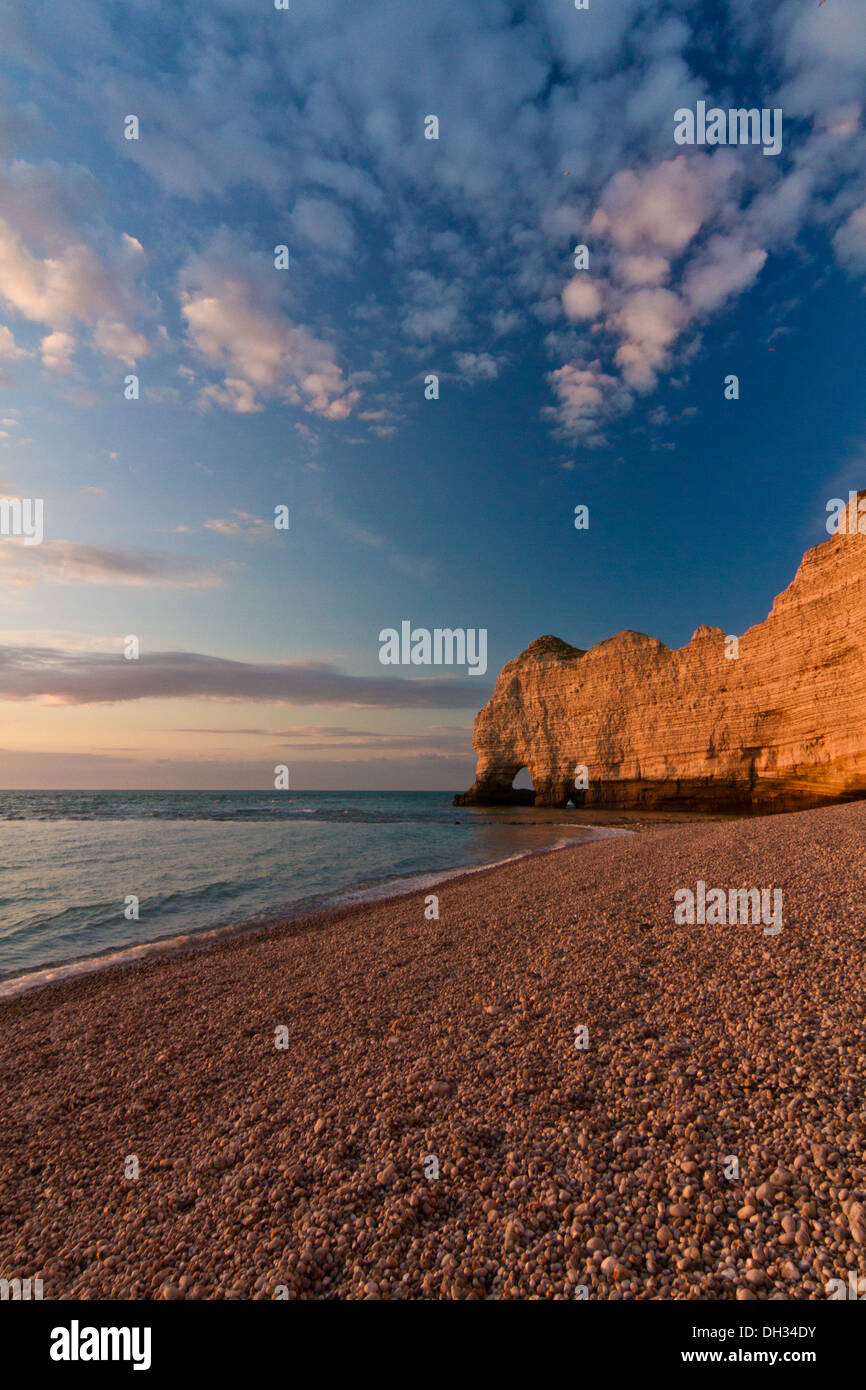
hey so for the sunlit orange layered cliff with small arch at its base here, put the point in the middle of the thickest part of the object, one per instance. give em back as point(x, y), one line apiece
point(779, 728)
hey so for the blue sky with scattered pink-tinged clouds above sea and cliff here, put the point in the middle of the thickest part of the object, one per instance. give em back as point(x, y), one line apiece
point(308, 387)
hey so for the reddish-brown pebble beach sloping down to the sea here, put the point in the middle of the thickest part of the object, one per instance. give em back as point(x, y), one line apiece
point(420, 1047)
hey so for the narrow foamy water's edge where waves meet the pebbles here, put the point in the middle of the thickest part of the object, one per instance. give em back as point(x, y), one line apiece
point(308, 913)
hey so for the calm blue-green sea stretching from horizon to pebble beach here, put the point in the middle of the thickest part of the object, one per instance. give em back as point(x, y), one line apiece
point(198, 861)
